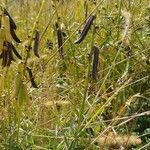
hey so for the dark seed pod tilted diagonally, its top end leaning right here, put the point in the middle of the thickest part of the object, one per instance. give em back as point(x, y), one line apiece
point(85, 29)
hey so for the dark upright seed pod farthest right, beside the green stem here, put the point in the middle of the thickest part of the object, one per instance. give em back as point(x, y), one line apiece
point(95, 62)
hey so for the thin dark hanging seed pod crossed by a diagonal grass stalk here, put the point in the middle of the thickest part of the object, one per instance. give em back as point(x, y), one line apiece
point(60, 41)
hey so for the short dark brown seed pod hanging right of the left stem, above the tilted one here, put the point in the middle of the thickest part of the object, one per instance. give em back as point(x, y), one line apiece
point(36, 43)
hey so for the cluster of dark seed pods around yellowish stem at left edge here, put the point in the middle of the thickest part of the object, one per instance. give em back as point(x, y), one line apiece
point(7, 35)
